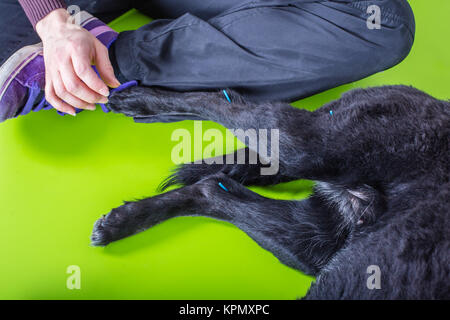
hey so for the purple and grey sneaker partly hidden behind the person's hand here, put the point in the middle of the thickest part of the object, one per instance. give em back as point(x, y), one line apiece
point(22, 76)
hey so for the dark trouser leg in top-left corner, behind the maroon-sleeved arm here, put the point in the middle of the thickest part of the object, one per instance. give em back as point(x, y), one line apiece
point(18, 32)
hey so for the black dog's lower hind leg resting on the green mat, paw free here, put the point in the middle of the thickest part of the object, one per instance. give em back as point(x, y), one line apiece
point(302, 234)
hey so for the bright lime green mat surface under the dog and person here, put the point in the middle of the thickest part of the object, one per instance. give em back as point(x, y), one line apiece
point(59, 174)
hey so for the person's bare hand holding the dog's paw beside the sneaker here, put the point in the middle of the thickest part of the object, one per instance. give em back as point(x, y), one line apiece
point(69, 53)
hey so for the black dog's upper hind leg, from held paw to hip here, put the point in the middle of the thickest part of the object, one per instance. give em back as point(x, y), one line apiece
point(352, 140)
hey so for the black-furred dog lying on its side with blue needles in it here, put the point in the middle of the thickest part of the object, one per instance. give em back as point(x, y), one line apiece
point(381, 162)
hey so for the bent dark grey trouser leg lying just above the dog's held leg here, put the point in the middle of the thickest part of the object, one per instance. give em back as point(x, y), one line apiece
point(268, 50)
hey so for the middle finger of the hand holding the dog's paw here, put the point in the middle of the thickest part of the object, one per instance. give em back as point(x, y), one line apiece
point(77, 88)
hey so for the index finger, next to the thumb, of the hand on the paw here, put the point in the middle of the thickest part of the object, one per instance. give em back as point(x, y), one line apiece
point(82, 66)
